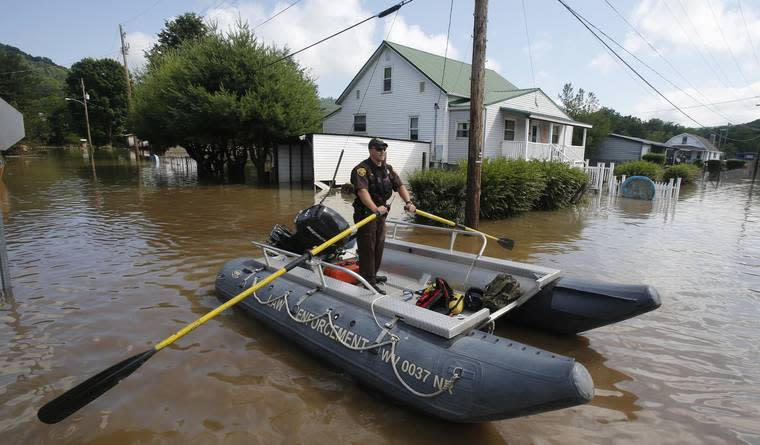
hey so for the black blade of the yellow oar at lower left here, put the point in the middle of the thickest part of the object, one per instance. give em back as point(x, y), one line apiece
point(72, 400)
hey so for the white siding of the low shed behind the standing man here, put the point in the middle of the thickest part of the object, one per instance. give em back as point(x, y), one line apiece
point(403, 156)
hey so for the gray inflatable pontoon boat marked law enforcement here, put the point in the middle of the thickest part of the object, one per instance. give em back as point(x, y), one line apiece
point(445, 366)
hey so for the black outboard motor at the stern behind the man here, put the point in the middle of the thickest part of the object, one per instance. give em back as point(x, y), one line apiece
point(314, 226)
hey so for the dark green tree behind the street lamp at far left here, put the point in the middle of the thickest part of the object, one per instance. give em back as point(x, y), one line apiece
point(107, 105)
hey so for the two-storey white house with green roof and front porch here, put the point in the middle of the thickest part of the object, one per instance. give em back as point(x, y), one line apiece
point(404, 93)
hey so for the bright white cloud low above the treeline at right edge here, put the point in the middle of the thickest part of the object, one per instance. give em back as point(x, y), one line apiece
point(739, 106)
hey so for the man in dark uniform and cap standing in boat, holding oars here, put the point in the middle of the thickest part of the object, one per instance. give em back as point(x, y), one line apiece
point(374, 182)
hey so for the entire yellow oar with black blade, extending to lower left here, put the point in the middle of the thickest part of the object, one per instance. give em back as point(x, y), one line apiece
point(92, 388)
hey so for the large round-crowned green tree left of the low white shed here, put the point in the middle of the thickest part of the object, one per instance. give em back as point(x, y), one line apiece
point(222, 98)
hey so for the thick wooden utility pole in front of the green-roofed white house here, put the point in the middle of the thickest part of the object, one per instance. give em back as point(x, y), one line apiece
point(477, 85)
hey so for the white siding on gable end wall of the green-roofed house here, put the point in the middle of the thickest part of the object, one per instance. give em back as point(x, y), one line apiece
point(388, 113)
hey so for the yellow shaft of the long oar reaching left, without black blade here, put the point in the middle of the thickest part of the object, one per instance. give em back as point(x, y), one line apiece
point(280, 272)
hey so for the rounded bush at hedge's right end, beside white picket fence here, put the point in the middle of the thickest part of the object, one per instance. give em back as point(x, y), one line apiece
point(563, 186)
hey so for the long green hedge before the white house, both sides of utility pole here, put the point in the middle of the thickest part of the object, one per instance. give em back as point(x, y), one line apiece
point(508, 187)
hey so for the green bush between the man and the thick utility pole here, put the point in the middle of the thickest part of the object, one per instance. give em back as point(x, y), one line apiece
point(439, 191)
